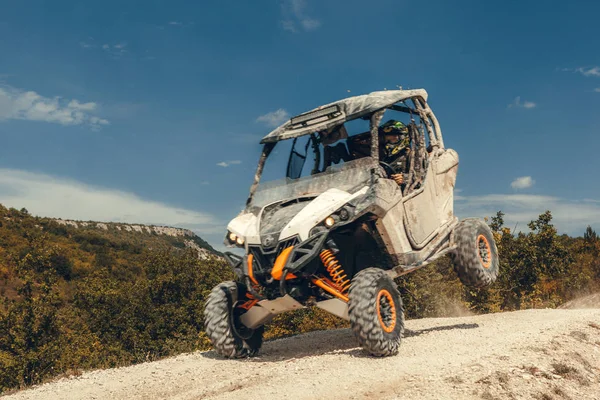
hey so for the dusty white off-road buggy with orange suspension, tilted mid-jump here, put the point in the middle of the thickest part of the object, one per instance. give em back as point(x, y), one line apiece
point(336, 231)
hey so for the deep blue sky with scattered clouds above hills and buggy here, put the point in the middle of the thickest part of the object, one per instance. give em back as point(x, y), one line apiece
point(152, 111)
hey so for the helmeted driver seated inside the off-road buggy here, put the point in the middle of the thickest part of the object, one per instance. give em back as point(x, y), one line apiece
point(395, 148)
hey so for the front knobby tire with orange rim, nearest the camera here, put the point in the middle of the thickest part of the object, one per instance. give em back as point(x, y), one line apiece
point(376, 312)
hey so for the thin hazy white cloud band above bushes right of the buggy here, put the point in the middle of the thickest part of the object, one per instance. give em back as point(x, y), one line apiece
point(569, 216)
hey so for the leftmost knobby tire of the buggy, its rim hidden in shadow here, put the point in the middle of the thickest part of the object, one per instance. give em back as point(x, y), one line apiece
point(221, 321)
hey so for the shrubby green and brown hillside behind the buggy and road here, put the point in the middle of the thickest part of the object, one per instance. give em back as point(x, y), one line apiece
point(77, 296)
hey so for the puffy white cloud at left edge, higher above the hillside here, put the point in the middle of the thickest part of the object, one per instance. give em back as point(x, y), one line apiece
point(29, 105)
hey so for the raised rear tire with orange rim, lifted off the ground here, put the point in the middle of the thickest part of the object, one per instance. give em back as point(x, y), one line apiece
point(476, 257)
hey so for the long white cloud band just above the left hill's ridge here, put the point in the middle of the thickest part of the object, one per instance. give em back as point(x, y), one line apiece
point(49, 196)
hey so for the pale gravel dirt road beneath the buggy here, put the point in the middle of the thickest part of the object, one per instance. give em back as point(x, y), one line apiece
point(545, 354)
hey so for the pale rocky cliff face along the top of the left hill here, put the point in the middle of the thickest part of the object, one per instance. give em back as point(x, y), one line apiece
point(180, 237)
